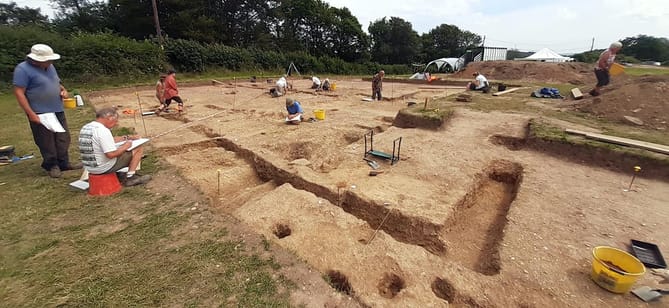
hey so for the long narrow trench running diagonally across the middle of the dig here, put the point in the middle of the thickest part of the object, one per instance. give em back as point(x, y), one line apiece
point(407, 229)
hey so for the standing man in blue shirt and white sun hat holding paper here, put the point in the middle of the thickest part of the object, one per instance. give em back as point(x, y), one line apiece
point(40, 94)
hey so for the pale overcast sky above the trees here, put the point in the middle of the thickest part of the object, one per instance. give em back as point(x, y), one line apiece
point(566, 26)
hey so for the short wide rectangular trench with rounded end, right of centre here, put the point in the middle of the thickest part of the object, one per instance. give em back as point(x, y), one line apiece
point(475, 229)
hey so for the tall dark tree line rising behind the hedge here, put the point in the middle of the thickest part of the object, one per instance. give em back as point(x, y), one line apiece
point(310, 26)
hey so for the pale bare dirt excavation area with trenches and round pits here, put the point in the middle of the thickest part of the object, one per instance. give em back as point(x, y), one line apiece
point(460, 220)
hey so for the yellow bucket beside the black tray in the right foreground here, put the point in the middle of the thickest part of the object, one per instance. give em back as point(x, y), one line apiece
point(614, 269)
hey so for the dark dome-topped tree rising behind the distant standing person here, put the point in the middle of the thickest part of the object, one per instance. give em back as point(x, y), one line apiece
point(393, 41)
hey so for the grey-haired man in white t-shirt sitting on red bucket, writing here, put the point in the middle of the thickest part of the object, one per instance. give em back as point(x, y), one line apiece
point(101, 155)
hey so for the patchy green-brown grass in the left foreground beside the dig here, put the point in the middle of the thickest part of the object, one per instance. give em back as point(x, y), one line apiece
point(59, 246)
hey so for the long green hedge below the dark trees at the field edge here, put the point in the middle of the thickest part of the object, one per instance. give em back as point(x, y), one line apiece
point(89, 58)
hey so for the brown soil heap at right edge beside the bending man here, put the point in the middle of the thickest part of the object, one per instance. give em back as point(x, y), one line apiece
point(644, 98)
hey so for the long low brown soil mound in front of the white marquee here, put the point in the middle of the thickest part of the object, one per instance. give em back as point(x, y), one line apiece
point(568, 72)
